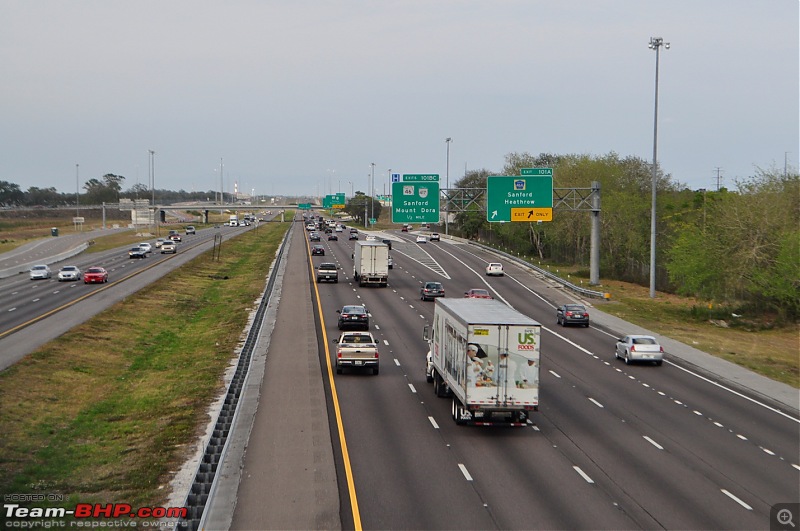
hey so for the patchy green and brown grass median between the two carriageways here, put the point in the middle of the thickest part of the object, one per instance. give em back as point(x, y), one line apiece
point(107, 412)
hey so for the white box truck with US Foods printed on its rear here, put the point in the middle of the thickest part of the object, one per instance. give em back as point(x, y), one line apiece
point(485, 356)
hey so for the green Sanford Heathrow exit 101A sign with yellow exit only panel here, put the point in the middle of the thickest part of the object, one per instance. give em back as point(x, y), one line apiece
point(524, 198)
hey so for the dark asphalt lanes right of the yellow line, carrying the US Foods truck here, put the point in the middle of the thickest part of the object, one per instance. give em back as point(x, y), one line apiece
point(612, 447)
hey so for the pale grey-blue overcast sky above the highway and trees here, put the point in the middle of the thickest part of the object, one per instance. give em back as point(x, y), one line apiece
point(302, 97)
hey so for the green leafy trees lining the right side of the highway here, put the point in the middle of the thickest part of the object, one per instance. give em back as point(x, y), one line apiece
point(738, 247)
